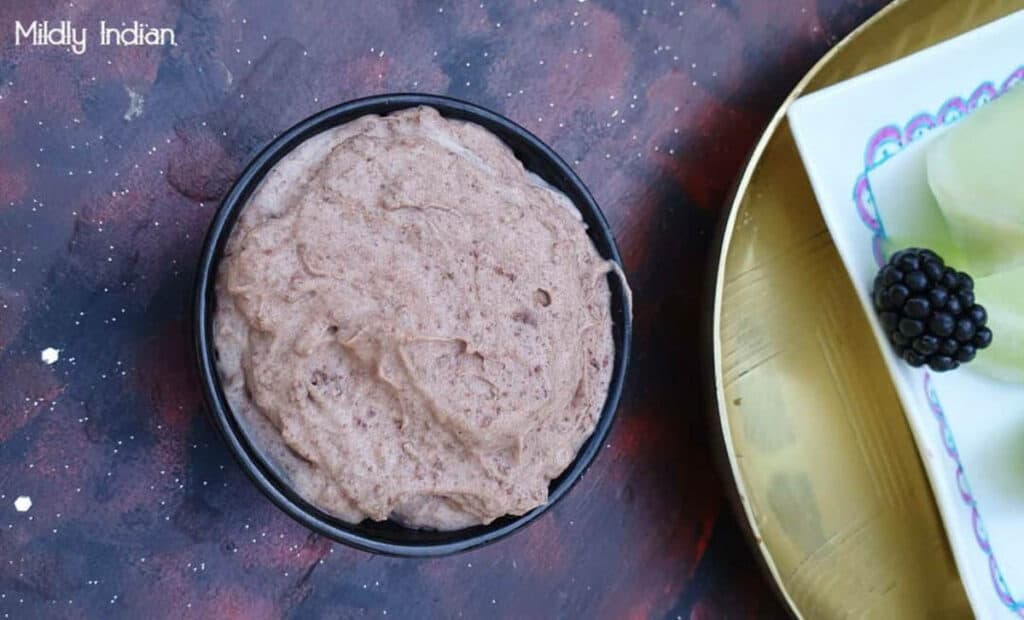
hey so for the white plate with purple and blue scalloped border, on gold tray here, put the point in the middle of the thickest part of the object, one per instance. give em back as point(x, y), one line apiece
point(969, 429)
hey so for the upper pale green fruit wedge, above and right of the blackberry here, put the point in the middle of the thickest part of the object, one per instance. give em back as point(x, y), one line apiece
point(976, 172)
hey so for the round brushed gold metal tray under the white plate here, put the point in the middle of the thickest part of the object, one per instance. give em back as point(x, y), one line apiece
point(828, 475)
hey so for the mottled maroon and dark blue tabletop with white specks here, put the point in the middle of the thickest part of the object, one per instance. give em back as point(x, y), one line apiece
point(139, 510)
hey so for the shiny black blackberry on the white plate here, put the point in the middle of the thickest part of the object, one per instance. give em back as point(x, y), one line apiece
point(929, 312)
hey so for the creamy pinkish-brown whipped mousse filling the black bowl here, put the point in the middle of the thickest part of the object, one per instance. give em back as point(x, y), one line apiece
point(413, 326)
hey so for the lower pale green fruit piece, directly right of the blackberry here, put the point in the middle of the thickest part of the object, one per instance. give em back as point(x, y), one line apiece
point(1003, 297)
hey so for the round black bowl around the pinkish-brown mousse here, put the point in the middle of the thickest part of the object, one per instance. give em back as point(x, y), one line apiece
point(389, 538)
